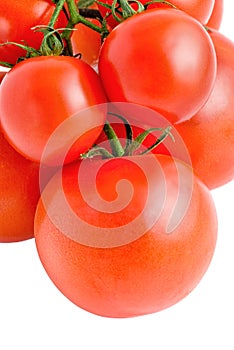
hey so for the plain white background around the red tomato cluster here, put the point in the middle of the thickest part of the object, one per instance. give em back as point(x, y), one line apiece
point(35, 315)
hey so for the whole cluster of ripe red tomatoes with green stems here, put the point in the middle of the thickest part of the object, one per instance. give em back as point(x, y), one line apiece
point(116, 122)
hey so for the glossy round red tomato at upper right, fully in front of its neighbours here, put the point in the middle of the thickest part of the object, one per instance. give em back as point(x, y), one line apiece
point(155, 69)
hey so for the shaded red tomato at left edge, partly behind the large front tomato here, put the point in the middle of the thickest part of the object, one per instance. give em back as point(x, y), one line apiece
point(19, 194)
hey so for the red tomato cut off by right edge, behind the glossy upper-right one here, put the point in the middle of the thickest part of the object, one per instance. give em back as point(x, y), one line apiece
point(209, 135)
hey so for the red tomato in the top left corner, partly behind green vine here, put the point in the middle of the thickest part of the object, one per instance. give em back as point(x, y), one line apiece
point(31, 13)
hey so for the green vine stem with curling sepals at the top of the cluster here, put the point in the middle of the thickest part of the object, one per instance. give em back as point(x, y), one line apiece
point(58, 41)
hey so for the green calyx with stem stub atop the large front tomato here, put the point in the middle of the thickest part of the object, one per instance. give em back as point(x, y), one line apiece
point(131, 144)
